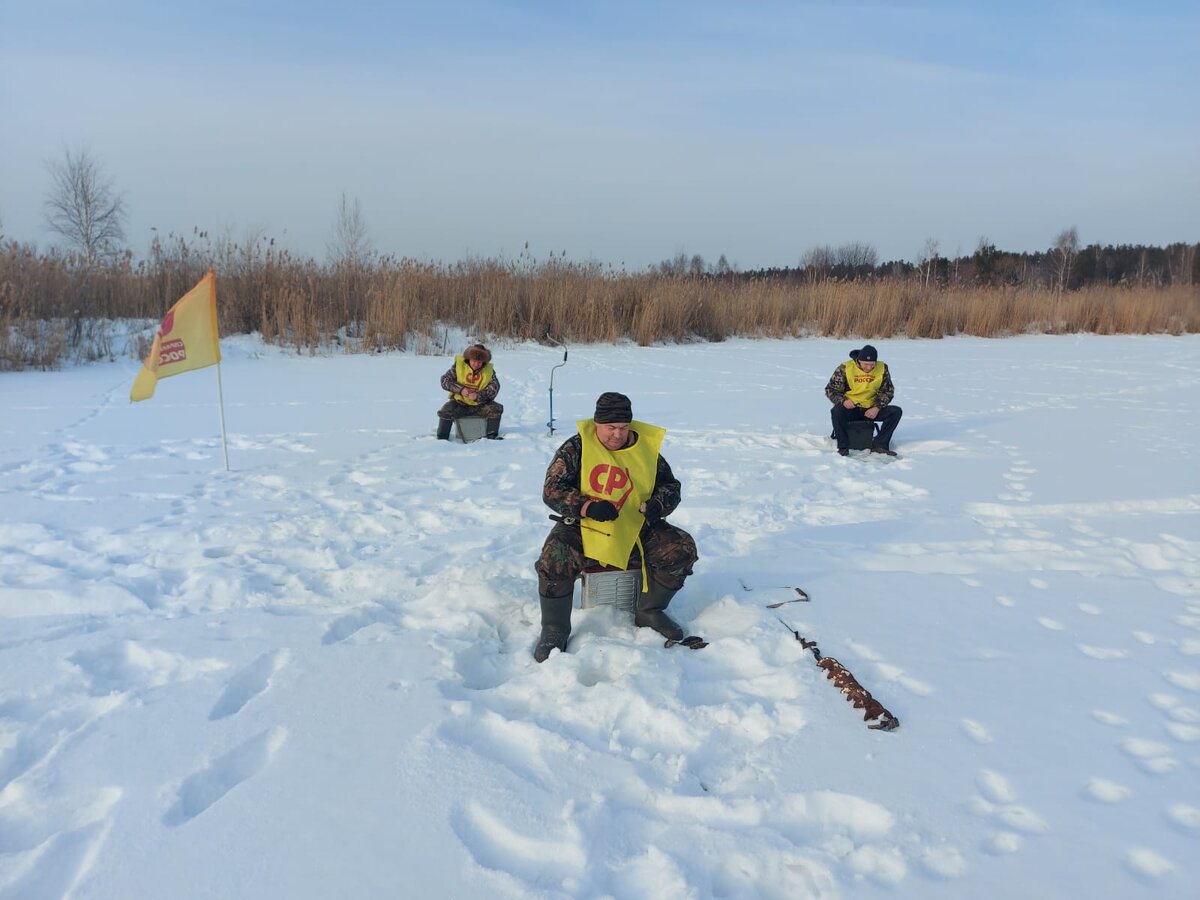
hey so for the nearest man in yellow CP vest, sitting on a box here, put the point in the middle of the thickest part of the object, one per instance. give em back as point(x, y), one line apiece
point(613, 490)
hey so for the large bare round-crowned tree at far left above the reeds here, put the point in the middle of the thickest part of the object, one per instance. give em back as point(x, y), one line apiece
point(83, 207)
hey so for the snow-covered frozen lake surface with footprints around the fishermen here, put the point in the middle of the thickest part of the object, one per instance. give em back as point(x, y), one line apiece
point(311, 676)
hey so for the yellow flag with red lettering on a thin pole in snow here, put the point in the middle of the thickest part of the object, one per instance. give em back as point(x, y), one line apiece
point(187, 339)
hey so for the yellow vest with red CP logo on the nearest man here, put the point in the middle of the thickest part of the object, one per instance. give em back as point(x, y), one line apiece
point(626, 478)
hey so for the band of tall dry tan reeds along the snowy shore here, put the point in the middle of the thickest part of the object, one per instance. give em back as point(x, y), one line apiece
point(55, 310)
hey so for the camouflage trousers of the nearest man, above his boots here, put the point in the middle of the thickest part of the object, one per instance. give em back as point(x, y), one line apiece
point(670, 556)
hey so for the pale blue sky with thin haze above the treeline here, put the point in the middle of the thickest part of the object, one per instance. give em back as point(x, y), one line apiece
point(623, 133)
